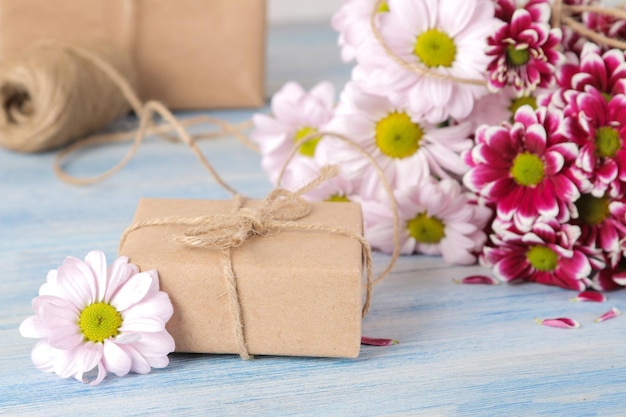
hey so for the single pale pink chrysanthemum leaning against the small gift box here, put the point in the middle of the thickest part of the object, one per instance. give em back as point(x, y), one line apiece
point(89, 318)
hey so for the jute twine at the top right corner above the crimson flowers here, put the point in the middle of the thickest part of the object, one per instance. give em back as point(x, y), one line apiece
point(561, 15)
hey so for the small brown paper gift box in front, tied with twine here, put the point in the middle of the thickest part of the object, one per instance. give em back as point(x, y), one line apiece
point(300, 292)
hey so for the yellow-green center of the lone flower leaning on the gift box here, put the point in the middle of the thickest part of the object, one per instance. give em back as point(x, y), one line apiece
point(99, 321)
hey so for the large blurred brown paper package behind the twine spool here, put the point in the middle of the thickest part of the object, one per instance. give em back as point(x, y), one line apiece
point(188, 53)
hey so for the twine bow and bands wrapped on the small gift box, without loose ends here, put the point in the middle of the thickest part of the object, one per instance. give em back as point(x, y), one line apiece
point(278, 212)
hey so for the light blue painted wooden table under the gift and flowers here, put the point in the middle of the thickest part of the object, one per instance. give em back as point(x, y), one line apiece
point(464, 350)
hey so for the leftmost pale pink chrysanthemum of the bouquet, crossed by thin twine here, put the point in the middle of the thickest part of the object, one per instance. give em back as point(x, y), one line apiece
point(297, 114)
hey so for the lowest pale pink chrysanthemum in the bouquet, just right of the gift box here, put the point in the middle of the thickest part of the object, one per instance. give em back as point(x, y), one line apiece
point(436, 218)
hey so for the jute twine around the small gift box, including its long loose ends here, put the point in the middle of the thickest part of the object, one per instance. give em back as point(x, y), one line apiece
point(278, 212)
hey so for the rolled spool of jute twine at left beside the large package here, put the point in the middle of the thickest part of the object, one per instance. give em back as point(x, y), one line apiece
point(52, 96)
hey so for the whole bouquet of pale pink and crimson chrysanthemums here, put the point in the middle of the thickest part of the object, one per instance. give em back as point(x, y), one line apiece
point(500, 127)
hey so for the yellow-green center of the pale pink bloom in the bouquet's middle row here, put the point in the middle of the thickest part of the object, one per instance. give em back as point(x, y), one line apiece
point(397, 136)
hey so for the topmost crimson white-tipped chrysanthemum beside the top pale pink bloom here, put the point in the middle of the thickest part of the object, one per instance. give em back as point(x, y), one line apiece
point(524, 51)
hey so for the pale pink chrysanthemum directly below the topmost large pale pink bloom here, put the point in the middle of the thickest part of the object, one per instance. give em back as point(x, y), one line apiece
point(407, 148)
